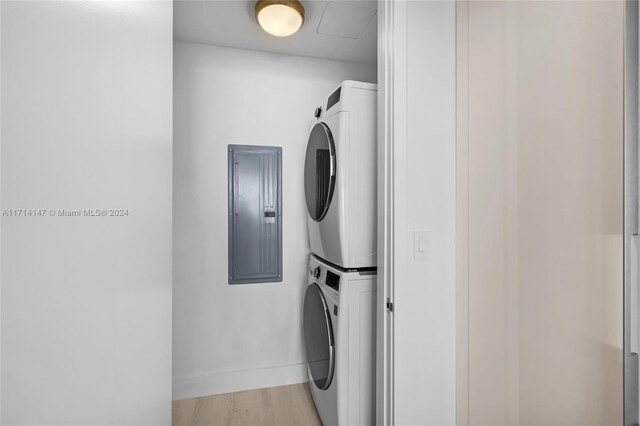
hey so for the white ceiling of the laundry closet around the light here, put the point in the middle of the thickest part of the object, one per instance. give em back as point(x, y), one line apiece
point(232, 23)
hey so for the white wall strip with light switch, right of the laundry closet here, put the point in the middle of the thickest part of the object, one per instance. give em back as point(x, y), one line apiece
point(423, 160)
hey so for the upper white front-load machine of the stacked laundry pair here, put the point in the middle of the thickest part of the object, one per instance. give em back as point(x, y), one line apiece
point(340, 177)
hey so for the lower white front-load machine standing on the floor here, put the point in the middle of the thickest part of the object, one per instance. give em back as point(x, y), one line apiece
point(340, 336)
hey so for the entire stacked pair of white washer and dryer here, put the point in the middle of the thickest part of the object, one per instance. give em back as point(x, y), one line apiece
point(339, 303)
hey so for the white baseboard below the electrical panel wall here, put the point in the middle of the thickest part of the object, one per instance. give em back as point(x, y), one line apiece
point(234, 381)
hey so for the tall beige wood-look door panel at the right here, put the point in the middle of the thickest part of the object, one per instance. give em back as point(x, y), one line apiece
point(541, 118)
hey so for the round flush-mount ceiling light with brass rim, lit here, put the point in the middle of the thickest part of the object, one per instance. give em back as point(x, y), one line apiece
point(280, 18)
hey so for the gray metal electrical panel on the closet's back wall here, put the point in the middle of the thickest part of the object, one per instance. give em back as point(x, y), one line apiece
point(255, 214)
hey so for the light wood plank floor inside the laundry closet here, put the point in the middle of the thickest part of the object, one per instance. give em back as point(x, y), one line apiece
point(282, 405)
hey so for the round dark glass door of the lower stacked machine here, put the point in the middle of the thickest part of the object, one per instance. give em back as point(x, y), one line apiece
point(318, 337)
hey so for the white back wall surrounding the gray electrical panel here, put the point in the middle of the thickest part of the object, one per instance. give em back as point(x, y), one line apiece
point(228, 338)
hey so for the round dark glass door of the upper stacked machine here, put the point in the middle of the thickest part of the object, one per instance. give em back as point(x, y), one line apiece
point(319, 171)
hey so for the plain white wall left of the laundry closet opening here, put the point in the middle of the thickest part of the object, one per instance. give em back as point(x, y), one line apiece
point(86, 301)
